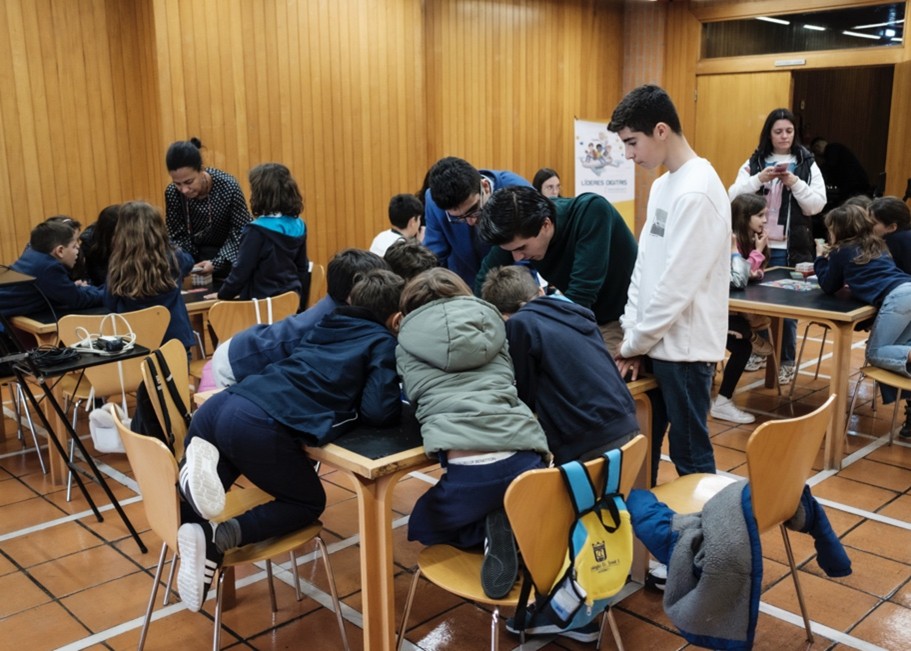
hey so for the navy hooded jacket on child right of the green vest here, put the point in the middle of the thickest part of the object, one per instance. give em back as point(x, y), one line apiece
point(566, 376)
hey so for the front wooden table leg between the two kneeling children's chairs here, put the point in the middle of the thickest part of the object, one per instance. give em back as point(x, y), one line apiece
point(374, 501)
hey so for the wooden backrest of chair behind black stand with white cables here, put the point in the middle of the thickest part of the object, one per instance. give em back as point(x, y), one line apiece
point(149, 326)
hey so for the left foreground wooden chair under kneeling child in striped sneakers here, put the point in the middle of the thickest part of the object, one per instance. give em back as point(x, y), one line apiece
point(156, 473)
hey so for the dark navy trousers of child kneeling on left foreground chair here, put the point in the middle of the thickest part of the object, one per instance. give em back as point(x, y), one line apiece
point(253, 444)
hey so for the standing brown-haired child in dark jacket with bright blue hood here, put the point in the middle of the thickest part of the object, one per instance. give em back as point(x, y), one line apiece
point(272, 258)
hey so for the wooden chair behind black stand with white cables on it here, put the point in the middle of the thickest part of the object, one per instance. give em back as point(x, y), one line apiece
point(149, 326)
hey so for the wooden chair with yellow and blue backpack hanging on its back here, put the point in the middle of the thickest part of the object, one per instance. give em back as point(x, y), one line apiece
point(542, 541)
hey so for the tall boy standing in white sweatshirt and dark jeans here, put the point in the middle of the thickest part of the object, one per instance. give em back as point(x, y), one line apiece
point(676, 313)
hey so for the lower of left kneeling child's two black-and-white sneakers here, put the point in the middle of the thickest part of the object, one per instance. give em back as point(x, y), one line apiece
point(199, 561)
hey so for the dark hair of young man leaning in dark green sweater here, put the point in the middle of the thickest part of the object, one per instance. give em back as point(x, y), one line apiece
point(514, 211)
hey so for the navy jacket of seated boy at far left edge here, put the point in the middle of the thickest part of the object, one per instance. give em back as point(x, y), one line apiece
point(53, 281)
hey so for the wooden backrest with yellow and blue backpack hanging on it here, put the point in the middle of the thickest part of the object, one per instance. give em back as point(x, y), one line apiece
point(540, 511)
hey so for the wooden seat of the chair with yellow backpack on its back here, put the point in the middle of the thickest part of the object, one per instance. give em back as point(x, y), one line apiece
point(459, 571)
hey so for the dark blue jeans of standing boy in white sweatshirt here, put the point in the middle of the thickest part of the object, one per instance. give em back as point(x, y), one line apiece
point(686, 393)
